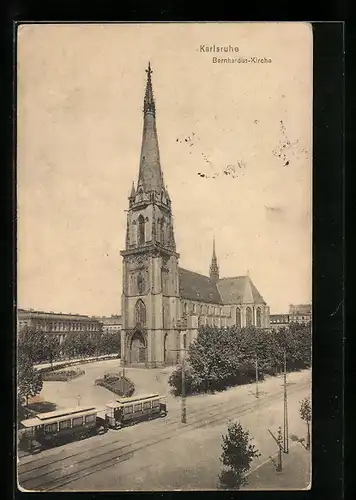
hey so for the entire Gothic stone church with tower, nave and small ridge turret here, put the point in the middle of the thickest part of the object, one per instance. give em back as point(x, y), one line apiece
point(163, 305)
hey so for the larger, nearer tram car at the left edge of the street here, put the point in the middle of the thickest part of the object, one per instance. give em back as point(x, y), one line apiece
point(57, 427)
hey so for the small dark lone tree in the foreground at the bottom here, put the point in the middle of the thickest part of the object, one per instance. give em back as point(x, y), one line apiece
point(237, 455)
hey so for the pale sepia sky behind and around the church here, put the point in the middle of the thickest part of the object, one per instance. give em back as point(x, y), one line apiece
point(243, 174)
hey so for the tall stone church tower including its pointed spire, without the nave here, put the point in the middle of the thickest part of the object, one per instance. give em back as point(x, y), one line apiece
point(150, 296)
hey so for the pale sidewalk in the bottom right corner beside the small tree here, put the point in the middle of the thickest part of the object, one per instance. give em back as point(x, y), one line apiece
point(295, 474)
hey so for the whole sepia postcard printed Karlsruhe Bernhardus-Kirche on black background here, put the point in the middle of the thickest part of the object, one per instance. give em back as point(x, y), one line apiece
point(164, 207)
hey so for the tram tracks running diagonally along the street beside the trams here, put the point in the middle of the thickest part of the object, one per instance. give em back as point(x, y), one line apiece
point(61, 474)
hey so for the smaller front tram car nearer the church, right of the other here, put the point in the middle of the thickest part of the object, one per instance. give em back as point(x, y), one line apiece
point(127, 411)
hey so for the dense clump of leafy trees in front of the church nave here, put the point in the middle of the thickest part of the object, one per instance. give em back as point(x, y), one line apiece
point(225, 357)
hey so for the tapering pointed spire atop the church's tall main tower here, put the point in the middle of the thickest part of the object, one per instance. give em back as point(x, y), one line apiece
point(150, 175)
